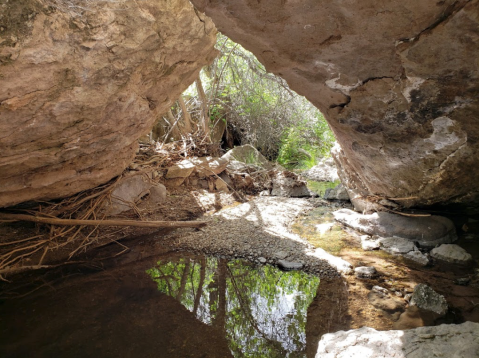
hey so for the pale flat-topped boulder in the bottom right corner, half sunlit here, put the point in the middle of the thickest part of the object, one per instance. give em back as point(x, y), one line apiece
point(446, 340)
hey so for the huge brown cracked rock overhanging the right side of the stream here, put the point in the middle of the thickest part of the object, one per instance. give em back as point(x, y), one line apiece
point(397, 81)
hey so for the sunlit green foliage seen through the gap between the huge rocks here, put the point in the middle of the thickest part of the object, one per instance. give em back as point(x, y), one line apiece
point(261, 109)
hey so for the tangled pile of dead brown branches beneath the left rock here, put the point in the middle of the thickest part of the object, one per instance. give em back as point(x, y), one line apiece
point(73, 224)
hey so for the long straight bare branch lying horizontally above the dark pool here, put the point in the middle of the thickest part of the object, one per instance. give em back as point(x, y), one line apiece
point(73, 222)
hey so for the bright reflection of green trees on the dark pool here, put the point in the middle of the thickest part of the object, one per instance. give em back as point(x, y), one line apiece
point(261, 310)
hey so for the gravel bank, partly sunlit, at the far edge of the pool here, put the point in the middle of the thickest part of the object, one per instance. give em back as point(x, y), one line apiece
point(258, 231)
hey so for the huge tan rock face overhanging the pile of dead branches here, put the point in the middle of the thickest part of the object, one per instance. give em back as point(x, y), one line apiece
point(78, 89)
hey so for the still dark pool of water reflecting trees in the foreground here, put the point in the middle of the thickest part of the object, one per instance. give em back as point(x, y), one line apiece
point(173, 306)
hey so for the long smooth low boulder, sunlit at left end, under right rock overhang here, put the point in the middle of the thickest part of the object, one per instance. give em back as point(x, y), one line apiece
point(426, 231)
